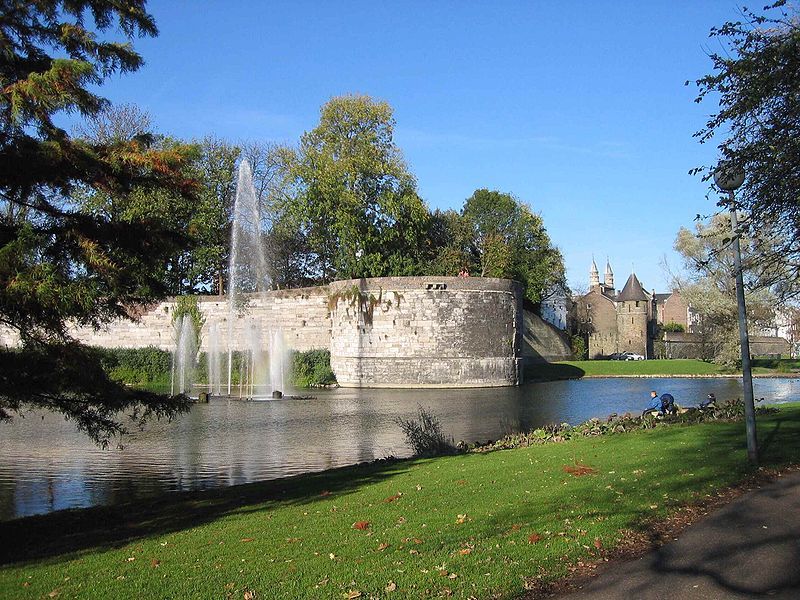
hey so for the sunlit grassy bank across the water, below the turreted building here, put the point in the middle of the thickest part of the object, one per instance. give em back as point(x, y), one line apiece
point(663, 368)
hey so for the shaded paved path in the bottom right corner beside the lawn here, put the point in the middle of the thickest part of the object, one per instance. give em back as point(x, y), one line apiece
point(748, 549)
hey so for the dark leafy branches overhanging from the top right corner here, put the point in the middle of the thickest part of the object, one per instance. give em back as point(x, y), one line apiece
point(756, 79)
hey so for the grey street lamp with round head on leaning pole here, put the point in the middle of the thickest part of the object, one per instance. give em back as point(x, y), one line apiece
point(728, 178)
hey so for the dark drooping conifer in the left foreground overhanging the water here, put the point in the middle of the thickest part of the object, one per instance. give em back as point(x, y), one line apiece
point(60, 263)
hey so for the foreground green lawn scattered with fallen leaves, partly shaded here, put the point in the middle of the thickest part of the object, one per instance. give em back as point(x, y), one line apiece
point(469, 525)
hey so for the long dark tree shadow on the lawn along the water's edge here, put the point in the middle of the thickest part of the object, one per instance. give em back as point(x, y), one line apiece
point(74, 531)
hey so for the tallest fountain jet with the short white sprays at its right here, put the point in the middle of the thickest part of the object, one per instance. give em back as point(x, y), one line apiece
point(261, 372)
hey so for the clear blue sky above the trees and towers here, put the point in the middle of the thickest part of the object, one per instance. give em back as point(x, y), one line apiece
point(577, 108)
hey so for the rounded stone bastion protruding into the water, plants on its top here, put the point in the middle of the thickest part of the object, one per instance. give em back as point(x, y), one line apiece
point(426, 332)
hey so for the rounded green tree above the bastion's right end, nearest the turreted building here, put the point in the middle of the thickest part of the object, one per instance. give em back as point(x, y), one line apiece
point(511, 241)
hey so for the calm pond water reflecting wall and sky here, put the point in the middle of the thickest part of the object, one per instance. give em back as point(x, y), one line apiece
point(46, 465)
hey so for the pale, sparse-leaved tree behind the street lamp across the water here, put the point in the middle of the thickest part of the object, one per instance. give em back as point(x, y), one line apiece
point(710, 289)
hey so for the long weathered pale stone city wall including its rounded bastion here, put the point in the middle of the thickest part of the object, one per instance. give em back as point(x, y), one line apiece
point(382, 332)
